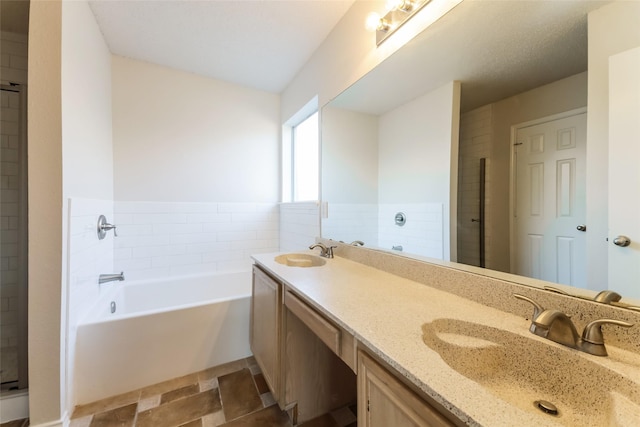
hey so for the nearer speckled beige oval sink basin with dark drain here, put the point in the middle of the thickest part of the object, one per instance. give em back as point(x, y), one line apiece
point(524, 370)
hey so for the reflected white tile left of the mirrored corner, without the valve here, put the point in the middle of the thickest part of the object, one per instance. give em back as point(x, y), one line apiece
point(349, 222)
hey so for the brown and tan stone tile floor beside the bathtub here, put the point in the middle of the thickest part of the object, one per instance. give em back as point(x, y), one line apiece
point(230, 395)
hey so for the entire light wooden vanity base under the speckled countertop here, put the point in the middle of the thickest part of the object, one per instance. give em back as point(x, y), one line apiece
point(310, 364)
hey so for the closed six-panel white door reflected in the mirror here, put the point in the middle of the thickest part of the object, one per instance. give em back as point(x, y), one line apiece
point(550, 200)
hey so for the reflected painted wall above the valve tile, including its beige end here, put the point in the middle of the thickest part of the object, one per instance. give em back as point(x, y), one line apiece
point(418, 156)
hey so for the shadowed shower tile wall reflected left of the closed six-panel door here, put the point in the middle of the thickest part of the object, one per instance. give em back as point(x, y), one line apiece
point(475, 143)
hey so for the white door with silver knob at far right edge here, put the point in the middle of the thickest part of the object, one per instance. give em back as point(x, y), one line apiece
point(624, 172)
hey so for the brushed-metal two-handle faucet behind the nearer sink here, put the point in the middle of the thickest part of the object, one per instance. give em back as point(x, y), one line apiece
point(558, 327)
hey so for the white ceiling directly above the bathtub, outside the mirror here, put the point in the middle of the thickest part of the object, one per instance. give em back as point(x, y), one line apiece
point(260, 44)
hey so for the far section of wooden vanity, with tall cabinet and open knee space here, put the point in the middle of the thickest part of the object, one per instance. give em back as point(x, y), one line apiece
point(300, 352)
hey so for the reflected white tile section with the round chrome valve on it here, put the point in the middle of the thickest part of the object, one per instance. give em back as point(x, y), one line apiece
point(422, 233)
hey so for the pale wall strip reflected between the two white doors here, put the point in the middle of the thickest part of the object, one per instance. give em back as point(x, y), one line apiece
point(612, 29)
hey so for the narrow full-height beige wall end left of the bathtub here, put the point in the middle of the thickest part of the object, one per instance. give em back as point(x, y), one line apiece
point(46, 342)
